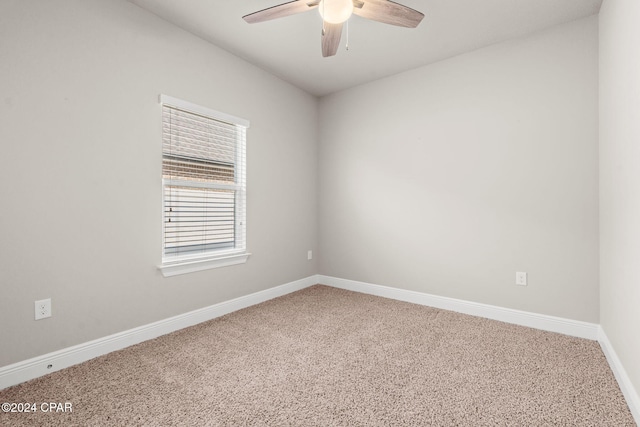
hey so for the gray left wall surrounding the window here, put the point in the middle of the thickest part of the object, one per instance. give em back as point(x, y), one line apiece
point(80, 217)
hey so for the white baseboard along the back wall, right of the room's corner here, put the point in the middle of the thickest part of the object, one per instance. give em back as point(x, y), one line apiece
point(574, 328)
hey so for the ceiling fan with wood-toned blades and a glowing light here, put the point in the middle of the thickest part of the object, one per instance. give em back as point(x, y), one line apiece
point(336, 12)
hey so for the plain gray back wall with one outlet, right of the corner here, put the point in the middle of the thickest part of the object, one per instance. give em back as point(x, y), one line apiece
point(450, 178)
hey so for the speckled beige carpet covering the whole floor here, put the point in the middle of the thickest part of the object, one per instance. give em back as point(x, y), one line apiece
point(328, 357)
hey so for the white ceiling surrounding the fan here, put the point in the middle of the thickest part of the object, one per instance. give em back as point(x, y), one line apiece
point(290, 47)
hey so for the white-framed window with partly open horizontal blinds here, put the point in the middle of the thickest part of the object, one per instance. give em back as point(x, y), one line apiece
point(204, 190)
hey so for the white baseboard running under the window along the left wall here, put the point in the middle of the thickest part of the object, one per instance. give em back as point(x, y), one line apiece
point(51, 362)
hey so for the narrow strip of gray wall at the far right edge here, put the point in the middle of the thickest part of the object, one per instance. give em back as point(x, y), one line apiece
point(620, 180)
